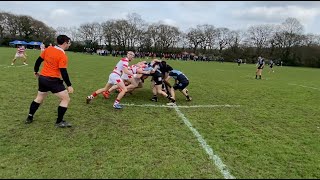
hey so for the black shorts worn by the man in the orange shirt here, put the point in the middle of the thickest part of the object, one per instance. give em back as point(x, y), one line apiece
point(54, 85)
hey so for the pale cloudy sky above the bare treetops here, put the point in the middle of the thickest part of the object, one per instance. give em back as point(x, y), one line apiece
point(234, 15)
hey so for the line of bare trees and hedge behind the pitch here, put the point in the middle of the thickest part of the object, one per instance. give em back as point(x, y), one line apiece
point(286, 41)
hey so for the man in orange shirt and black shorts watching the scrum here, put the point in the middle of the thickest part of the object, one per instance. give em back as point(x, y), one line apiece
point(55, 66)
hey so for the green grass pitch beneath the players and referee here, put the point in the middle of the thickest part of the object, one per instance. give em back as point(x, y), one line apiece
point(274, 133)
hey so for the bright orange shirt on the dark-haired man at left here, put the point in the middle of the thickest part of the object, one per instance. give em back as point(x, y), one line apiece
point(54, 58)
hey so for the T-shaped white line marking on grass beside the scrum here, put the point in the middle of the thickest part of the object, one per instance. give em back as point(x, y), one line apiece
point(215, 158)
